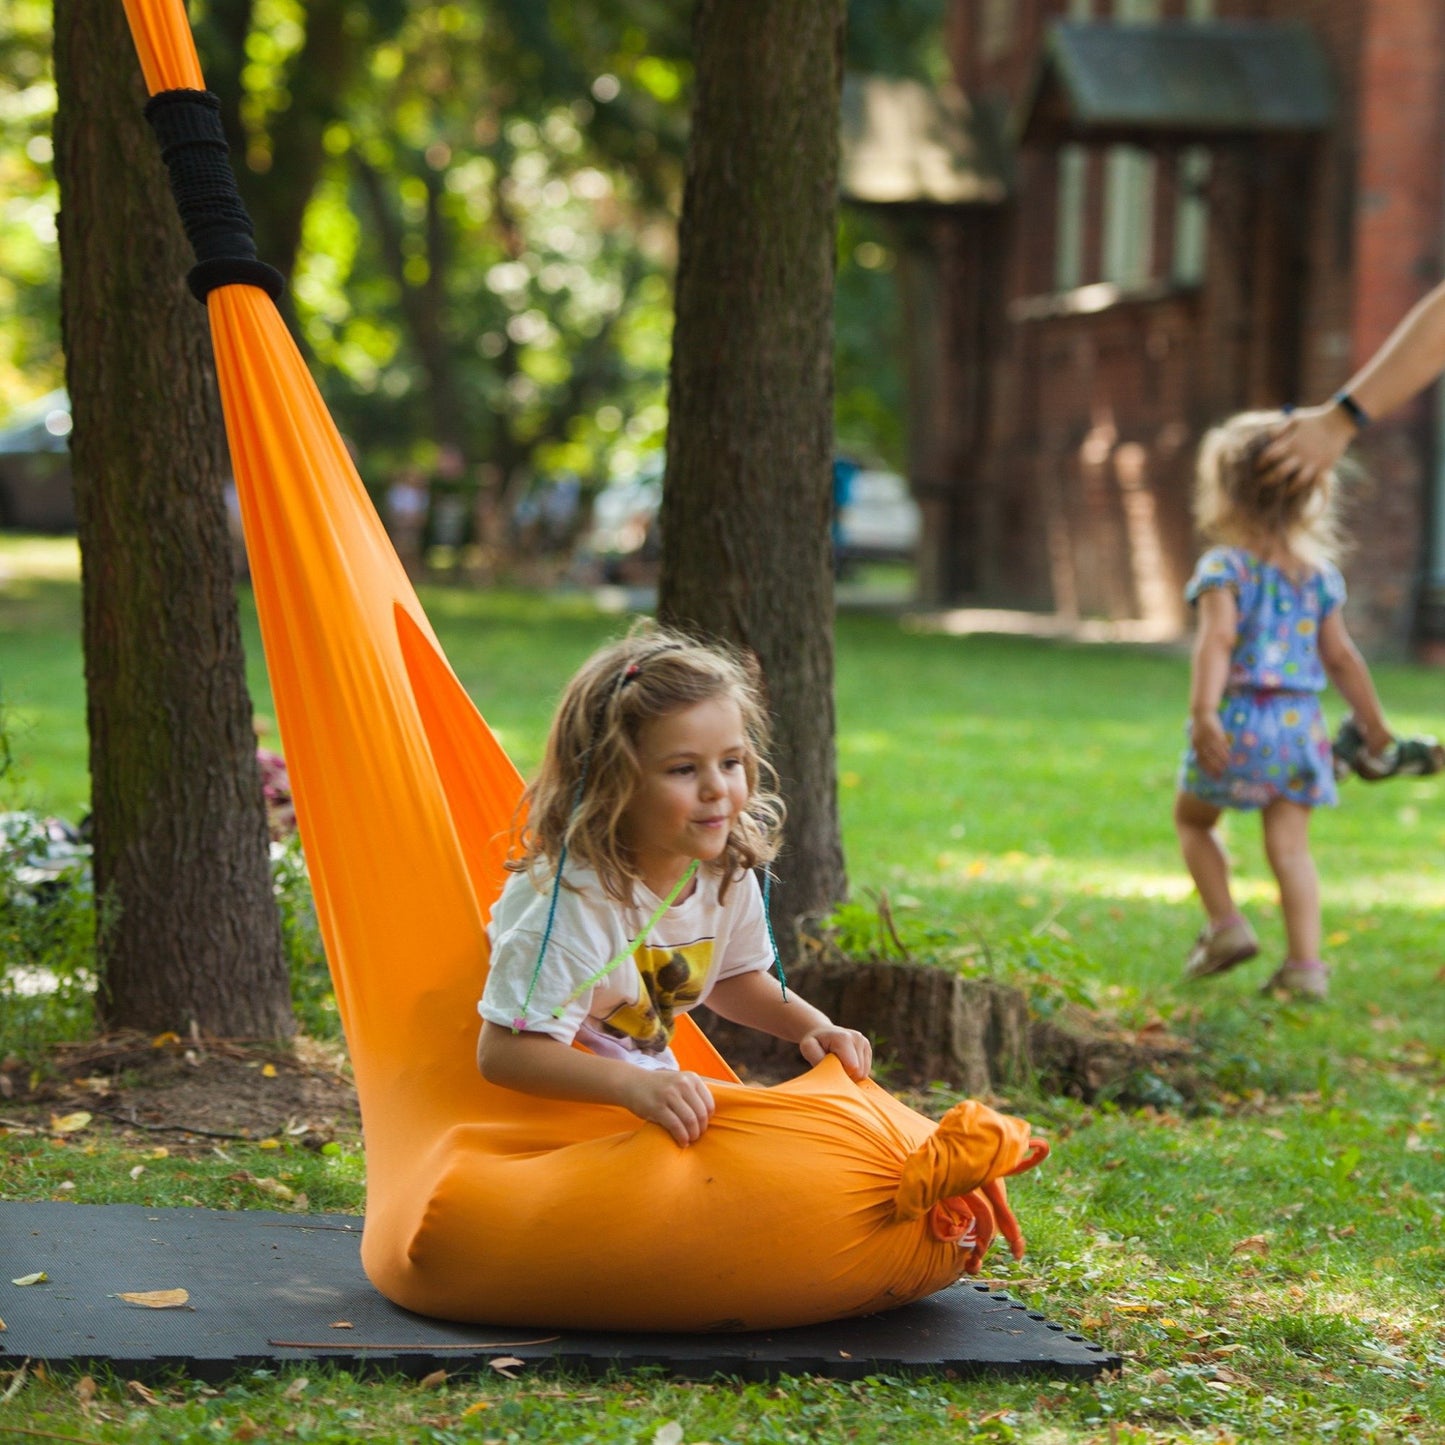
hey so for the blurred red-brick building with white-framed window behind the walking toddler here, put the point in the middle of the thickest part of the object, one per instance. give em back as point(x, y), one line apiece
point(1212, 206)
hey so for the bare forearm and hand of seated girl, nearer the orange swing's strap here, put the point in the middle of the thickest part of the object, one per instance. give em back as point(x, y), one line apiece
point(537, 1064)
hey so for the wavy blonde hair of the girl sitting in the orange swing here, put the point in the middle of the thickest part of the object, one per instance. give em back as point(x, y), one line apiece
point(590, 768)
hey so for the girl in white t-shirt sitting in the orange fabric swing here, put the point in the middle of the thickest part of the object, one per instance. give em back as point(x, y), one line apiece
point(637, 897)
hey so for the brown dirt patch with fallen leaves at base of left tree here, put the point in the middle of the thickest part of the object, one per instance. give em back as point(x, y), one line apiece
point(180, 1090)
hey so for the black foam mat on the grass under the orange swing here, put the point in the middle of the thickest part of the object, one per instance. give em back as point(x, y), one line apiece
point(269, 1290)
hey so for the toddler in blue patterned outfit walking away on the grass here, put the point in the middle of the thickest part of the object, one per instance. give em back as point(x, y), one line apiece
point(1271, 637)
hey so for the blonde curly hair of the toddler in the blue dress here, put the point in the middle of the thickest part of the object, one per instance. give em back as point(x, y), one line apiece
point(1235, 502)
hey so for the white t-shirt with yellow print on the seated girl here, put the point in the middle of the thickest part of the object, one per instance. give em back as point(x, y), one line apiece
point(629, 1014)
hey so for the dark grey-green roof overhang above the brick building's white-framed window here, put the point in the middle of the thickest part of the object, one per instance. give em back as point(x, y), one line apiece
point(1177, 83)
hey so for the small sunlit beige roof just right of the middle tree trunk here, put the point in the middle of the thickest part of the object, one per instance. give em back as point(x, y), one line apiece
point(920, 147)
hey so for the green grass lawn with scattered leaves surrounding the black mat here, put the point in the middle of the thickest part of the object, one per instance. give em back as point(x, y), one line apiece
point(1269, 1264)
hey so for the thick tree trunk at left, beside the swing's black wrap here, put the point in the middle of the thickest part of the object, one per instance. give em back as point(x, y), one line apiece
point(190, 927)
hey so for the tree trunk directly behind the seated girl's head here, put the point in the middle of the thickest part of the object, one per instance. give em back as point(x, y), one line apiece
point(746, 514)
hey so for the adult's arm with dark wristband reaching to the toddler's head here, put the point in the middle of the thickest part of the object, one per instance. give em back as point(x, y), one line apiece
point(1314, 439)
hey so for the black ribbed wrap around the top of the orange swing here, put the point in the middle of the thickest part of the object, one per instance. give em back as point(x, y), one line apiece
point(193, 145)
